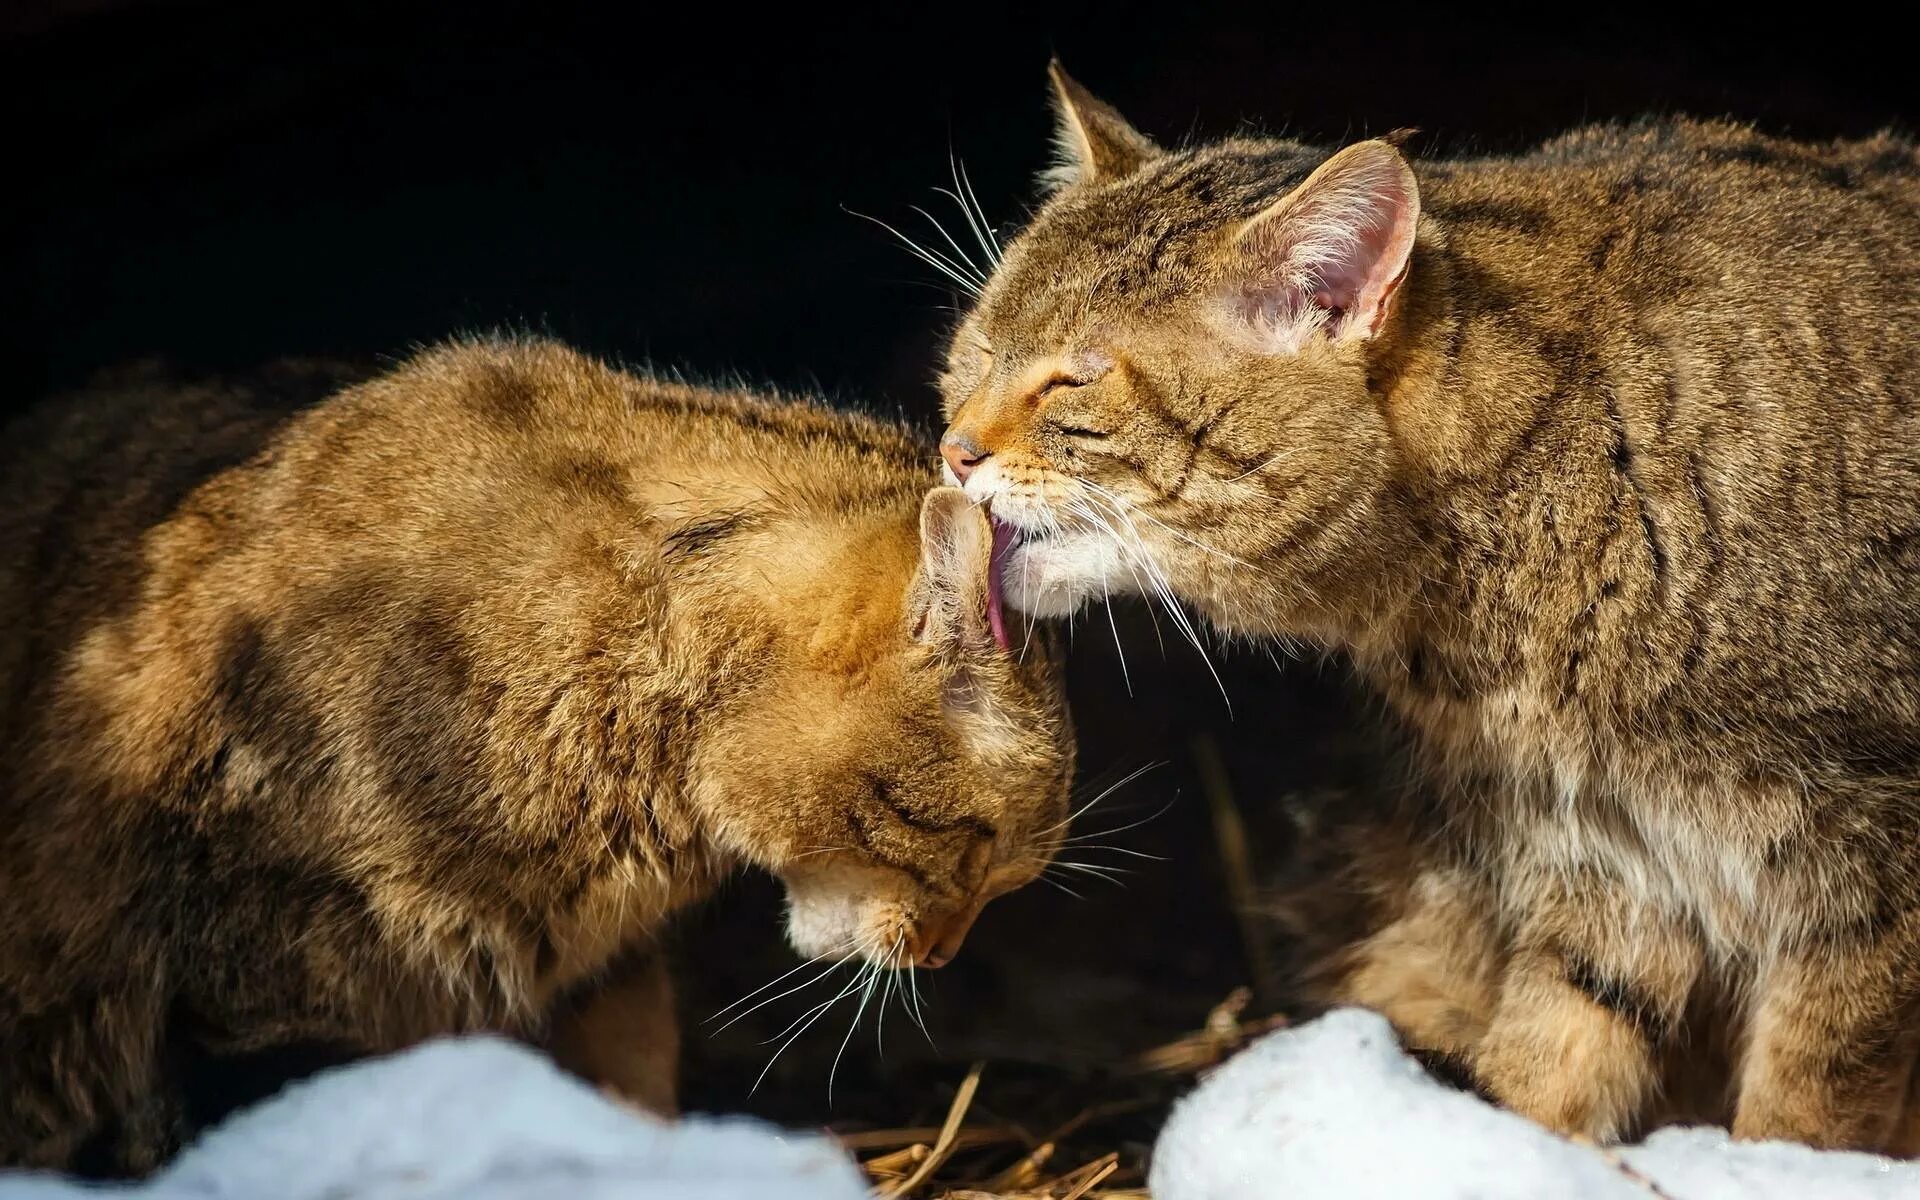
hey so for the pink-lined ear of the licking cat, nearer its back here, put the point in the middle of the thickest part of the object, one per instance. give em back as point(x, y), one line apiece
point(1330, 256)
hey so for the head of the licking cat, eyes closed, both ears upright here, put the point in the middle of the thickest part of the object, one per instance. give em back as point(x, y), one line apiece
point(1164, 387)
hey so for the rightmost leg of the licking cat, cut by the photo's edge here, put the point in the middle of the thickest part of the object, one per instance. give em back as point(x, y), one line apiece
point(1833, 1045)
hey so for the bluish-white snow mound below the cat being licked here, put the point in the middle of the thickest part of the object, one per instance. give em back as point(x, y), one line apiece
point(475, 1120)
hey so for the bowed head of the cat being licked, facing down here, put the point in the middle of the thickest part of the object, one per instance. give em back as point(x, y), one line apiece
point(915, 754)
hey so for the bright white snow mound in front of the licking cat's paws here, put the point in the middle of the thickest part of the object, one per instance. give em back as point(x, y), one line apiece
point(1335, 1111)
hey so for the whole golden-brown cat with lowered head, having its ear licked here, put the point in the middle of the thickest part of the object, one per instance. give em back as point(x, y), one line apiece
point(433, 711)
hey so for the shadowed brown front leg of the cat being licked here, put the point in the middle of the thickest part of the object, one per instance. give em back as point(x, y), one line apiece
point(623, 1036)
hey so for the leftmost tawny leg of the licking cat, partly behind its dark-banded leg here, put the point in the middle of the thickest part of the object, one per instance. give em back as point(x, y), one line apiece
point(1433, 971)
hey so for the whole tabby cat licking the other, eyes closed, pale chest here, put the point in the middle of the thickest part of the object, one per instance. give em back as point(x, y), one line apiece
point(1602, 464)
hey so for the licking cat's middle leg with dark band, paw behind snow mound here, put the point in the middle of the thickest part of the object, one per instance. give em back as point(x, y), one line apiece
point(1593, 994)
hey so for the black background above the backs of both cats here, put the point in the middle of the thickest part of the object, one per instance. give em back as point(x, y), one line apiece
point(224, 183)
